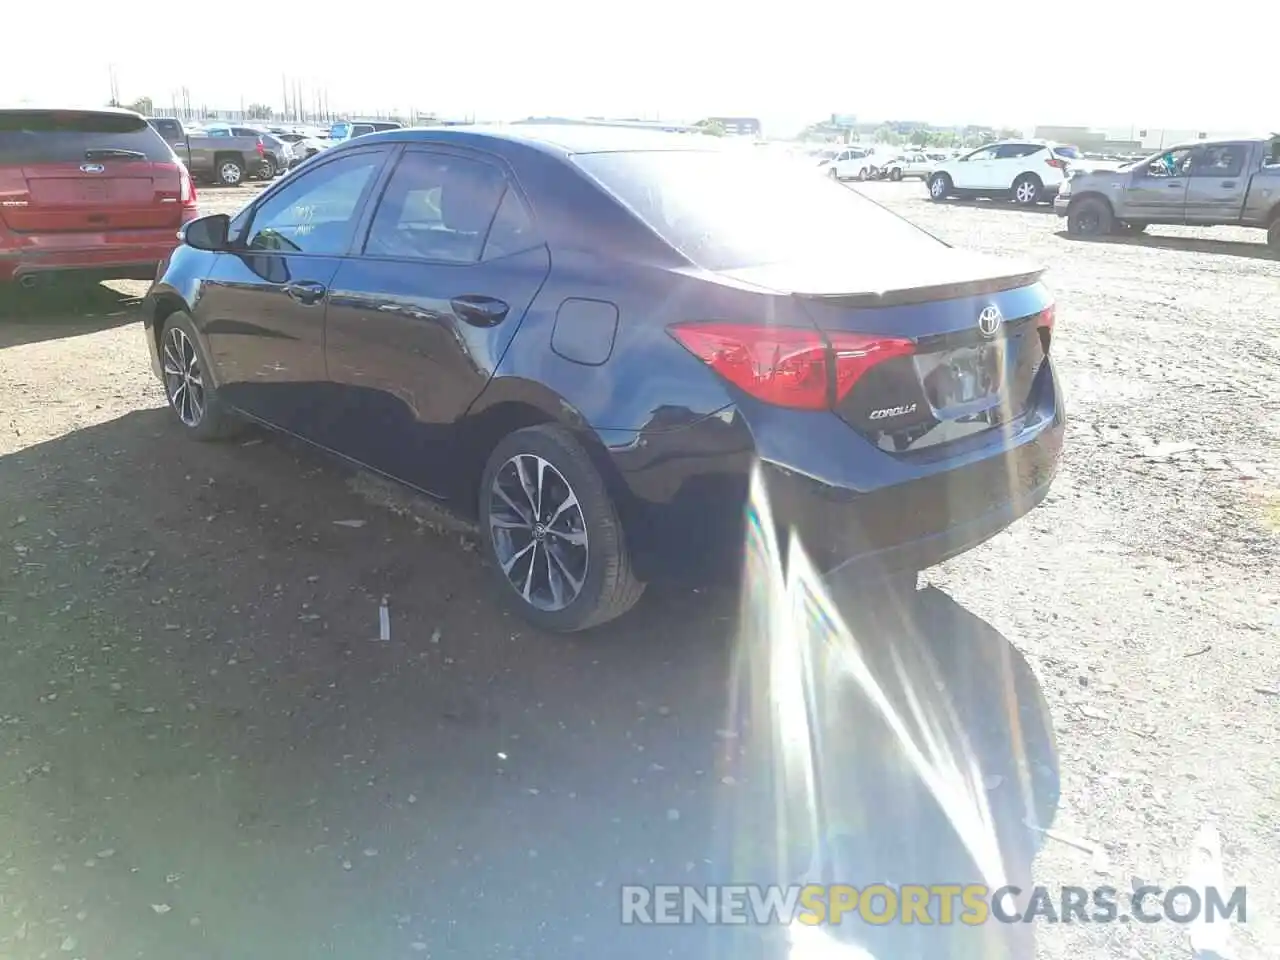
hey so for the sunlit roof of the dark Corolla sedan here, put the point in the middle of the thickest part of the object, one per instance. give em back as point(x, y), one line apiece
point(554, 139)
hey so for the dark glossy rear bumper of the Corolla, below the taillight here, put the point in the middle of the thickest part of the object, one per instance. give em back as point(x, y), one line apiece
point(858, 511)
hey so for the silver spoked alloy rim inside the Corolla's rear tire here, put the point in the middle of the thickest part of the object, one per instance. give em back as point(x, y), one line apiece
point(540, 533)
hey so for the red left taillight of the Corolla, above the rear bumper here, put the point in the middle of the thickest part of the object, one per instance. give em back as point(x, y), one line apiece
point(789, 367)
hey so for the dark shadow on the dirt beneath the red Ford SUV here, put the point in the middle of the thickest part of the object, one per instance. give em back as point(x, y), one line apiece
point(66, 310)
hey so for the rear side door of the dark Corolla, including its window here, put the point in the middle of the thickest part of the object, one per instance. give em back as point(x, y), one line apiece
point(420, 319)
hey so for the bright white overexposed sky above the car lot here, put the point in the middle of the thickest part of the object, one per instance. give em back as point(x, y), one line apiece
point(788, 62)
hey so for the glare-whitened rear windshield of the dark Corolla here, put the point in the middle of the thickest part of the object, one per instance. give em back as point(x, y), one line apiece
point(728, 211)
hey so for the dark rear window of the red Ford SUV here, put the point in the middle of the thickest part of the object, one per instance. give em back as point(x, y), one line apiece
point(58, 138)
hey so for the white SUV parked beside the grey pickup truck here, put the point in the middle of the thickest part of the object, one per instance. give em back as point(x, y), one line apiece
point(1026, 171)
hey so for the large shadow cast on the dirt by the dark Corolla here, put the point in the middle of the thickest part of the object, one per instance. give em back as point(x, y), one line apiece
point(208, 747)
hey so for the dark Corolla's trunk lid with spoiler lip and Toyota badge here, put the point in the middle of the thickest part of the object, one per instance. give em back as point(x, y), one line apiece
point(979, 331)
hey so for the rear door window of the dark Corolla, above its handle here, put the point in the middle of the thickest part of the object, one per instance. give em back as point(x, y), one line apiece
point(437, 207)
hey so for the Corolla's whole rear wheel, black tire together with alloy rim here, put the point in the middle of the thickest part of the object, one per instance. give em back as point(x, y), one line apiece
point(573, 586)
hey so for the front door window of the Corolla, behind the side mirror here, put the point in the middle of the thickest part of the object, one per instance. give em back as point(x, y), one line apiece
point(317, 212)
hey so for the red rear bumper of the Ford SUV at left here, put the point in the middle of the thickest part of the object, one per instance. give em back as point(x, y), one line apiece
point(117, 254)
